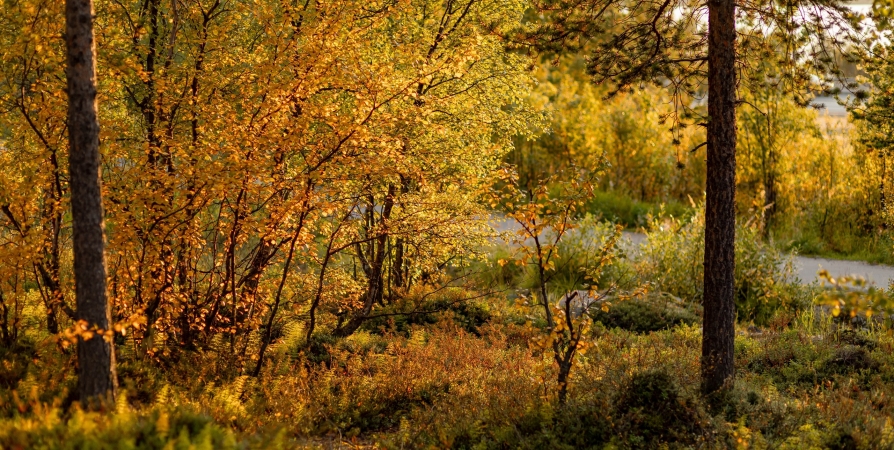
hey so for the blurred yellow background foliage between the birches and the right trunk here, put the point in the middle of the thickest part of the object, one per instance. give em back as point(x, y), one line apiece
point(621, 137)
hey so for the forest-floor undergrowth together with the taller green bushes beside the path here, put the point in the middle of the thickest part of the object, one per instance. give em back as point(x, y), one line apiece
point(464, 368)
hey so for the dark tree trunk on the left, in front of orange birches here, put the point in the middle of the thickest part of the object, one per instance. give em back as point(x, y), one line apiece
point(96, 355)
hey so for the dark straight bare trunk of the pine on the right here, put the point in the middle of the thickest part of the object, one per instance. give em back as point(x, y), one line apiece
point(720, 215)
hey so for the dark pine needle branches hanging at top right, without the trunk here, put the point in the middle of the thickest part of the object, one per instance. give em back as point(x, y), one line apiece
point(631, 43)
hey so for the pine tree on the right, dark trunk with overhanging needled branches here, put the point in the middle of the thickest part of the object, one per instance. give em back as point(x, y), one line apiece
point(668, 43)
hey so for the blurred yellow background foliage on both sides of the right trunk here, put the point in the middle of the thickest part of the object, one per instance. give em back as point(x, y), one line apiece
point(823, 187)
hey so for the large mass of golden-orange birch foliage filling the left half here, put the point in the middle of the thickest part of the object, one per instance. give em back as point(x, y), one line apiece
point(262, 161)
